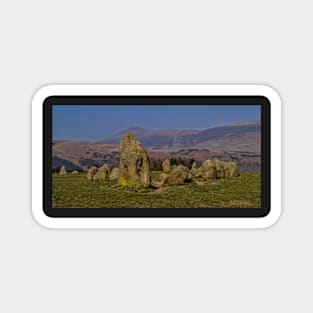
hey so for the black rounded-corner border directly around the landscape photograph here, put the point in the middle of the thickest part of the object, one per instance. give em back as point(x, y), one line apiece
point(262, 101)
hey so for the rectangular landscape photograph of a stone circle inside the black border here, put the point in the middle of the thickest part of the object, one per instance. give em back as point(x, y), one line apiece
point(156, 156)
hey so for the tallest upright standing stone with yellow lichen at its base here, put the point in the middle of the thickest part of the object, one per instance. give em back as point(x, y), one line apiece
point(134, 163)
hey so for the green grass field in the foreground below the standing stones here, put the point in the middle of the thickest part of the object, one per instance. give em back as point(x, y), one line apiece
point(75, 191)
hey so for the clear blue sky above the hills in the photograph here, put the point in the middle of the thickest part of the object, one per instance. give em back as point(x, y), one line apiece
point(96, 122)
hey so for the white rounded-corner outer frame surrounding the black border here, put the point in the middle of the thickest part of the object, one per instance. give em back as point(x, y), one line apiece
point(156, 90)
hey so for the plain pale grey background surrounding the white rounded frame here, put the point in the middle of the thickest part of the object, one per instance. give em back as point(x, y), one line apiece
point(44, 42)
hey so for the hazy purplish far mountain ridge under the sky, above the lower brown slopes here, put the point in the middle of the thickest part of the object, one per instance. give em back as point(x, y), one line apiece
point(242, 136)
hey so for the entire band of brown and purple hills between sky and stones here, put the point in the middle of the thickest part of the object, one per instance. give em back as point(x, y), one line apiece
point(238, 142)
